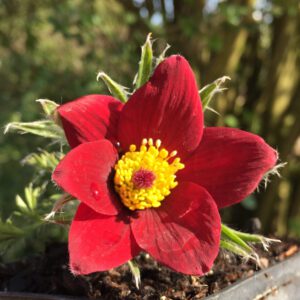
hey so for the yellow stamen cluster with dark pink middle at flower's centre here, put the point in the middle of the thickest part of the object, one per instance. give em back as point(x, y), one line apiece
point(144, 177)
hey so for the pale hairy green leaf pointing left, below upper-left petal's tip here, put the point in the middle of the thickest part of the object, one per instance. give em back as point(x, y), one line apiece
point(44, 128)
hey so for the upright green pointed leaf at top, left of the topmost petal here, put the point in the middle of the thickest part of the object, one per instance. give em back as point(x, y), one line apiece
point(145, 64)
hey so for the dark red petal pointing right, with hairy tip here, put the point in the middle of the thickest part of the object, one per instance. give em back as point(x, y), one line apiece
point(229, 163)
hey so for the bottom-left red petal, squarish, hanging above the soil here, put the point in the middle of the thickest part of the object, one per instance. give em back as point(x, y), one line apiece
point(98, 243)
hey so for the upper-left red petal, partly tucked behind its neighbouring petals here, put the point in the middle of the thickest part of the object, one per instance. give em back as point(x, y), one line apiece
point(90, 118)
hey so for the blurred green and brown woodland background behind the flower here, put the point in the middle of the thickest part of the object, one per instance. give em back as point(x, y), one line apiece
point(54, 48)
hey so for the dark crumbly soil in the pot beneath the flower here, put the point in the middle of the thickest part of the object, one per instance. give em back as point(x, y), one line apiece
point(49, 274)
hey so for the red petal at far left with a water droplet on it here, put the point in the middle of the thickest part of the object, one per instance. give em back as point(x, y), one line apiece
point(84, 173)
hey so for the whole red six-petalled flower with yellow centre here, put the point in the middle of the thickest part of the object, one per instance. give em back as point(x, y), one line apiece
point(122, 168)
